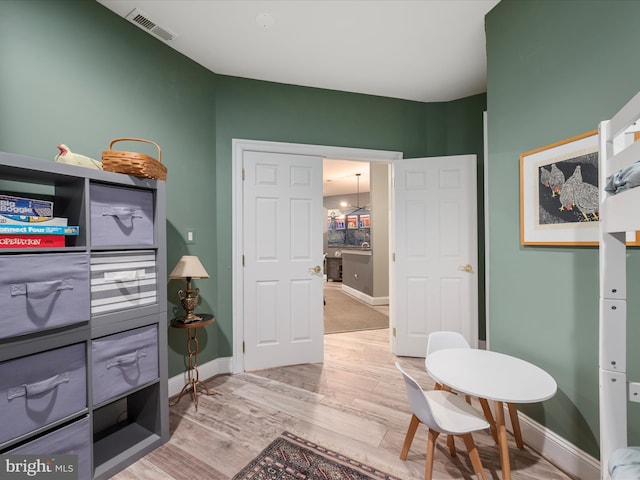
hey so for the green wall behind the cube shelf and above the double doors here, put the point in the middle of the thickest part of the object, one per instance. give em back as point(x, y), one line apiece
point(109, 79)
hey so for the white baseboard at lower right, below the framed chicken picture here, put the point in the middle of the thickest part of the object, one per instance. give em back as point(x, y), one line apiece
point(557, 450)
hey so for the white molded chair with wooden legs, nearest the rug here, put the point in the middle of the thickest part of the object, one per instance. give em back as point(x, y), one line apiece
point(441, 412)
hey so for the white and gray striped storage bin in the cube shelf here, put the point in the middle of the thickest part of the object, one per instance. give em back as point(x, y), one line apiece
point(122, 280)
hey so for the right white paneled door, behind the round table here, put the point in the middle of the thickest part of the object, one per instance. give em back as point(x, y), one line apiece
point(435, 278)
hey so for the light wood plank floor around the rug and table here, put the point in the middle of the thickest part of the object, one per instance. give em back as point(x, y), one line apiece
point(354, 403)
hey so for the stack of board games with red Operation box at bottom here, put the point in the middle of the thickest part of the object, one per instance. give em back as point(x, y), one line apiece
point(29, 223)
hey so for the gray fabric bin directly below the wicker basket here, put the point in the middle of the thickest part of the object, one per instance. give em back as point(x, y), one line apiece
point(120, 216)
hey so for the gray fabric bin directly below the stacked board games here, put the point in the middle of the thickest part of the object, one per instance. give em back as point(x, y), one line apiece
point(39, 292)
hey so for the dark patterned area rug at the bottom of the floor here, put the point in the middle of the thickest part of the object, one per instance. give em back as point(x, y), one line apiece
point(290, 457)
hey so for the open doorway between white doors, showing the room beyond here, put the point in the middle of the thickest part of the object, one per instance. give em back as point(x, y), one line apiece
point(356, 201)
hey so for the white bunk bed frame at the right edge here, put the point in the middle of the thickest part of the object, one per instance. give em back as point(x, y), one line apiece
point(618, 215)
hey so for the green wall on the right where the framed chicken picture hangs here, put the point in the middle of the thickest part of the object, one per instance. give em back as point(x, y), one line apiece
point(555, 69)
